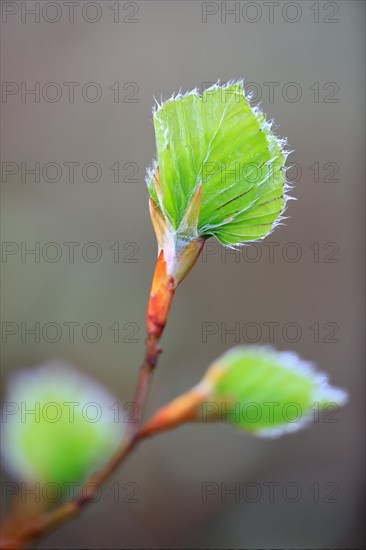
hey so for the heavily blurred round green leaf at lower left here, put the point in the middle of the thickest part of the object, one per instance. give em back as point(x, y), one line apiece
point(57, 426)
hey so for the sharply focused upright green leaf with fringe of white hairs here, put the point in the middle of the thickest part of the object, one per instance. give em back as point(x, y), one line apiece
point(220, 141)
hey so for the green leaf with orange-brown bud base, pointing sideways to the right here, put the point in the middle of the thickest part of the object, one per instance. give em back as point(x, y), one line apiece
point(256, 389)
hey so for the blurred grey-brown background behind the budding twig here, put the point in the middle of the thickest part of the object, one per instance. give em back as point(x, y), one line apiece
point(304, 61)
